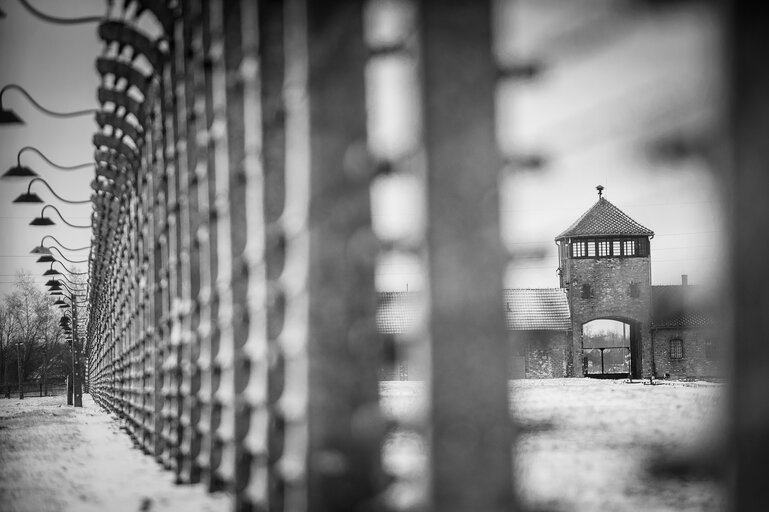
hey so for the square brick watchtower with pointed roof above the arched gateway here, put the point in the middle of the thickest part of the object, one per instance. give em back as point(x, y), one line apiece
point(604, 265)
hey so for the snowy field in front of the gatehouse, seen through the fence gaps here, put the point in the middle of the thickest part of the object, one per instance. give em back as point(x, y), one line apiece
point(587, 444)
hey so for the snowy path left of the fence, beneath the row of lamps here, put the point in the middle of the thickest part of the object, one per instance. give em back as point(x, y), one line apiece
point(54, 457)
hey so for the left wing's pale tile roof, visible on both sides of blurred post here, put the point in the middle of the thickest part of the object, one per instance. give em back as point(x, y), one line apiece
point(525, 309)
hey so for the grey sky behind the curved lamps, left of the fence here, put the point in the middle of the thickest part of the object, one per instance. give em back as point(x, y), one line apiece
point(55, 63)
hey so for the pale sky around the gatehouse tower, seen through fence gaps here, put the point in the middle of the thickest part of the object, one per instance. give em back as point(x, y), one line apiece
point(616, 78)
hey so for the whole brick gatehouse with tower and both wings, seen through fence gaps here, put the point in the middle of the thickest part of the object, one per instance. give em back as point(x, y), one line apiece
point(606, 319)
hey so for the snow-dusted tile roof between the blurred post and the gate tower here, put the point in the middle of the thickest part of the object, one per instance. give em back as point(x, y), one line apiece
point(537, 309)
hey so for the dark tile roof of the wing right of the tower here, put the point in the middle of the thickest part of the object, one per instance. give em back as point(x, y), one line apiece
point(679, 306)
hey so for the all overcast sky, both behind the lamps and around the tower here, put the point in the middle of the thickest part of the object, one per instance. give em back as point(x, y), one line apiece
point(613, 82)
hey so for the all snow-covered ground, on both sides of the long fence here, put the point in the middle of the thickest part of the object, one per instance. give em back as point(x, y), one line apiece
point(585, 445)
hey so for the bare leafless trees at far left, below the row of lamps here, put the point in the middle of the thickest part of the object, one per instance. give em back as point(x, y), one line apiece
point(30, 333)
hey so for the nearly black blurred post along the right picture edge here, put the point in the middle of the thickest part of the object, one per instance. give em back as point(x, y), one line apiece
point(748, 74)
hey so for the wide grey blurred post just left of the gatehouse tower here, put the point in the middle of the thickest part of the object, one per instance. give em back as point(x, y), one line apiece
point(469, 423)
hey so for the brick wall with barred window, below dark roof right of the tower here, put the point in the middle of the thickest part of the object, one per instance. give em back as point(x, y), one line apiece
point(698, 359)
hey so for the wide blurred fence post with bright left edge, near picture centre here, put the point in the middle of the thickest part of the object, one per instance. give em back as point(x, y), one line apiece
point(330, 401)
